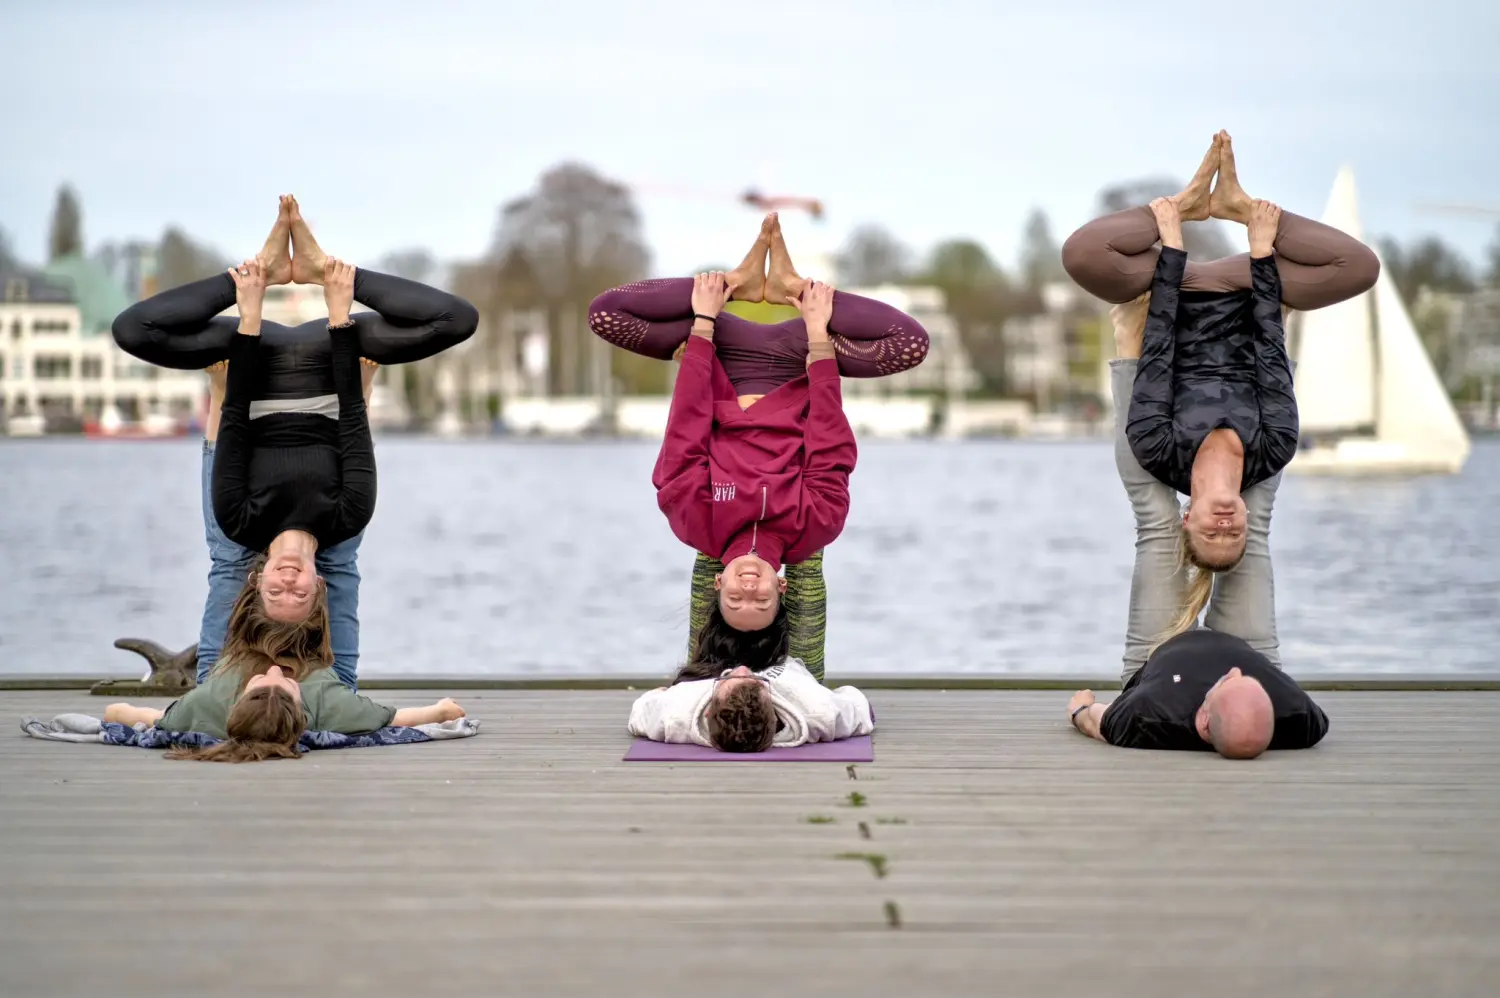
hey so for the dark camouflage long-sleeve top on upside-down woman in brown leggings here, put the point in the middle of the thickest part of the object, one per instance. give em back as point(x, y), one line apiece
point(1213, 361)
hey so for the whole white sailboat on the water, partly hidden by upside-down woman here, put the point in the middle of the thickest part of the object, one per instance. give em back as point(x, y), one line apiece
point(1369, 397)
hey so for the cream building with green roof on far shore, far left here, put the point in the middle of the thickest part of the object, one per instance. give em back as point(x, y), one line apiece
point(59, 362)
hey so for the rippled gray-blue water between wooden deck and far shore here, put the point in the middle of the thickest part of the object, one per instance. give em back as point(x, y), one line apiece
point(551, 559)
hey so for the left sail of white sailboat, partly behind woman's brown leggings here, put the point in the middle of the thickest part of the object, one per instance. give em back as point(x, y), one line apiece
point(1336, 373)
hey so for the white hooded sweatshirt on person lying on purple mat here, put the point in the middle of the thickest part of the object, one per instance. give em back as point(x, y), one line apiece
point(806, 709)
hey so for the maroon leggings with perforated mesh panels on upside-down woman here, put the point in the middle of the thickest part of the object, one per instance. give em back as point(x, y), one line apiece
point(656, 317)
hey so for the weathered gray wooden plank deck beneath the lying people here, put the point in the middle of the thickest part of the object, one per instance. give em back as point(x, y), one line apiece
point(530, 861)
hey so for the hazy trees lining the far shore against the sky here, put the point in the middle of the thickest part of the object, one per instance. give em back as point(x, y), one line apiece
point(577, 233)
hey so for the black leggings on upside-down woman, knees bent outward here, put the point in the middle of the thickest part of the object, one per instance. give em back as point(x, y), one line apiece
point(182, 329)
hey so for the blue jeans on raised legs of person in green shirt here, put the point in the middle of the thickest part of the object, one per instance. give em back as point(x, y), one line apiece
point(230, 565)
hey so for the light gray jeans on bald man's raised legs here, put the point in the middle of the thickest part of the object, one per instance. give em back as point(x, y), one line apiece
point(1244, 600)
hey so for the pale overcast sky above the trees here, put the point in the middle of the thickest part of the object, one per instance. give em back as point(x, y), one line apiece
point(409, 124)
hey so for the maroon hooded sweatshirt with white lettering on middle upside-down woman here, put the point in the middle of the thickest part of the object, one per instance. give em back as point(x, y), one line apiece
point(772, 479)
